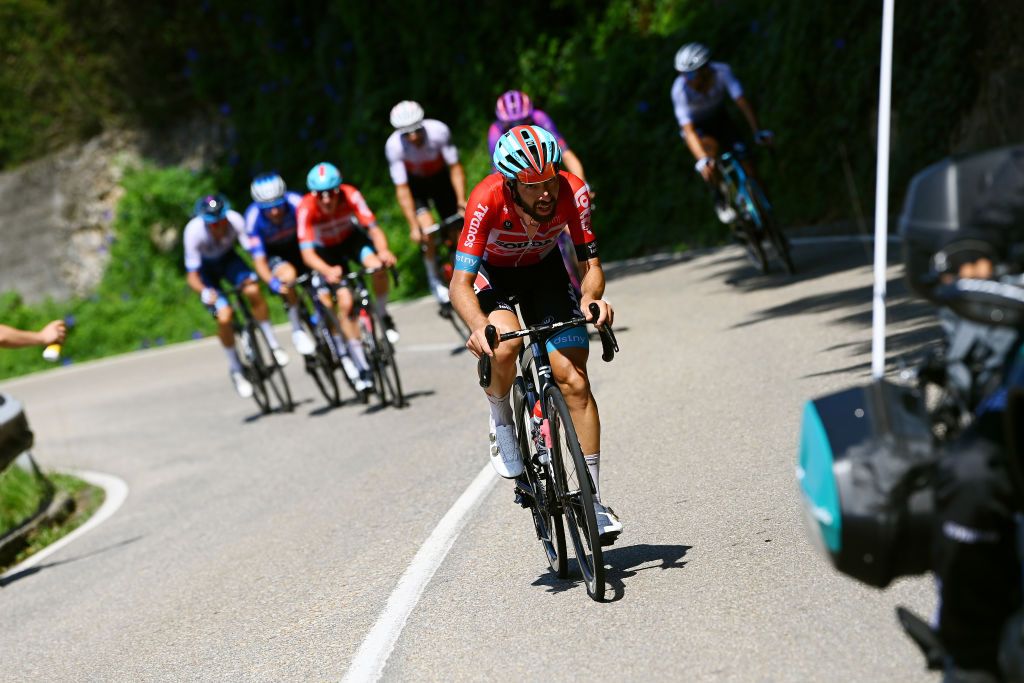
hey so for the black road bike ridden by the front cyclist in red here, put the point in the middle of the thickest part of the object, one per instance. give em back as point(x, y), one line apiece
point(556, 482)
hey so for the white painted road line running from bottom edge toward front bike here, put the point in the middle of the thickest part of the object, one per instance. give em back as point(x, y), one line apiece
point(368, 665)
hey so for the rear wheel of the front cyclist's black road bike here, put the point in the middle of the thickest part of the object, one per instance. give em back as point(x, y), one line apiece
point(547, 521)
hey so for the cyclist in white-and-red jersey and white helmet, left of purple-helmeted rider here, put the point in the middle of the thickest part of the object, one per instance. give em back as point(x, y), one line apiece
point(425, 168)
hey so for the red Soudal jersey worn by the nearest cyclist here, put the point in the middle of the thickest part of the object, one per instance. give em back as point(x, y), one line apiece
point(494, 232)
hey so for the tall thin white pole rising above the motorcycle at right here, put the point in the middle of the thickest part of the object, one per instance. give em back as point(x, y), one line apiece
point(882, 196)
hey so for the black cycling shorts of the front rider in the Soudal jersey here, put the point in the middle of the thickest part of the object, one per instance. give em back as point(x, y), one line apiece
point(543, 290)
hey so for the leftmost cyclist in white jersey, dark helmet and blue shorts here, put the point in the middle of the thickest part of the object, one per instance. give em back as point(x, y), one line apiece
point(209, 248)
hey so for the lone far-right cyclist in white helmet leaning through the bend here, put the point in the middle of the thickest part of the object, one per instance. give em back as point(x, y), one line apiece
point(699, 97)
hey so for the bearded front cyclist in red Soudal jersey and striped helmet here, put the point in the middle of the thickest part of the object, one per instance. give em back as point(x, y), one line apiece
point(507, 254)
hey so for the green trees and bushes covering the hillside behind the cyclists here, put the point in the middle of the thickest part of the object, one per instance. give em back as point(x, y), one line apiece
point(293, 86)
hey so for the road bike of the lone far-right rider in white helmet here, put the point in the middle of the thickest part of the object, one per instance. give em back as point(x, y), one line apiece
point(756, 221)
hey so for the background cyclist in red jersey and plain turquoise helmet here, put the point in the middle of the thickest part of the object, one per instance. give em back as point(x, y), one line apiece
point(335, 227)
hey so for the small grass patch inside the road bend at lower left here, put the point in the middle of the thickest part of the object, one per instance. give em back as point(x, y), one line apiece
point(21, 495)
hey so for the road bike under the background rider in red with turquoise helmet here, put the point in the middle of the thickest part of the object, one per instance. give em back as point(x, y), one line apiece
point(376, 346)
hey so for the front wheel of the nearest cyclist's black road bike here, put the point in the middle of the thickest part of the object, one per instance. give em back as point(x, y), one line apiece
point(575, 491)
